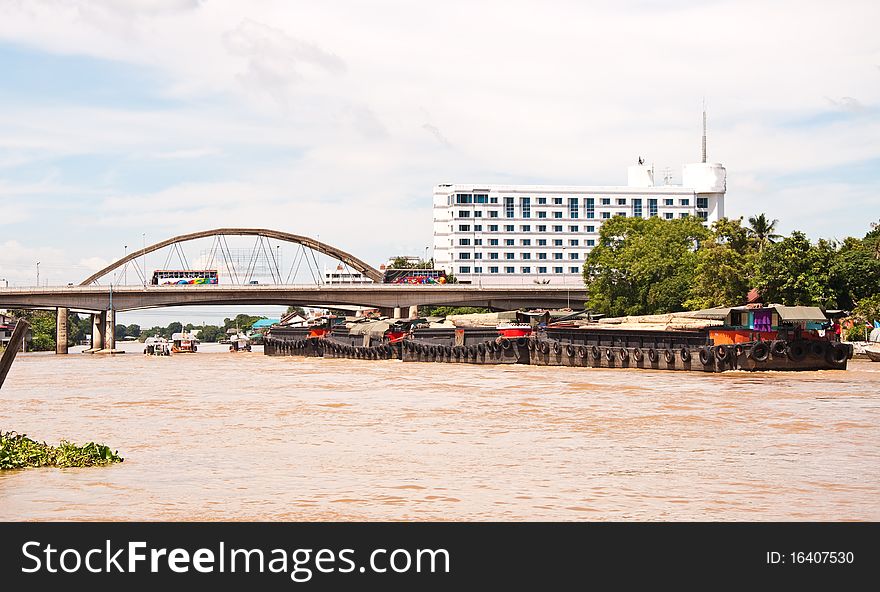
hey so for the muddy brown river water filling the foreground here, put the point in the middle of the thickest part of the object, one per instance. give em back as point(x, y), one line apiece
point(221, 436)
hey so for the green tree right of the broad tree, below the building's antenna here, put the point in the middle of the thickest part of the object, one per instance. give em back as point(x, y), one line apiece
point(725, 267)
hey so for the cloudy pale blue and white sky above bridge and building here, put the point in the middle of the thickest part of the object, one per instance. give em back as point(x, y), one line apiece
point(119, 117)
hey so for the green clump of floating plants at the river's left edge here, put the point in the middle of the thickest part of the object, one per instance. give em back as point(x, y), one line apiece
point(17, 451)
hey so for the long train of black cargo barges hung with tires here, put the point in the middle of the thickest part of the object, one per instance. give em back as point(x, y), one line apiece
point(715, 340)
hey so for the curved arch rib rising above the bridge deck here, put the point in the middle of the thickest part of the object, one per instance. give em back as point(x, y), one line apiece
point(347, 258)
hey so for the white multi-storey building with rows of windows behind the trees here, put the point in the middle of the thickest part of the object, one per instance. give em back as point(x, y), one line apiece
point(526, 234)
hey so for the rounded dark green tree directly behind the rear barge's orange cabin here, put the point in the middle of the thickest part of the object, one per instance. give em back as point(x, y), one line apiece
point(796, 272)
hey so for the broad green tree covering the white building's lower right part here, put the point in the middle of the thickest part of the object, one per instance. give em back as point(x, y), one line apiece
point(643, 266)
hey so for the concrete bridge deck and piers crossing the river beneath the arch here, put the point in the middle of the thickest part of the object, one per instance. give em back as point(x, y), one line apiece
point(104, 301)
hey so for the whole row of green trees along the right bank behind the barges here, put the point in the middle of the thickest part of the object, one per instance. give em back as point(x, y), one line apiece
point(651, 266)
